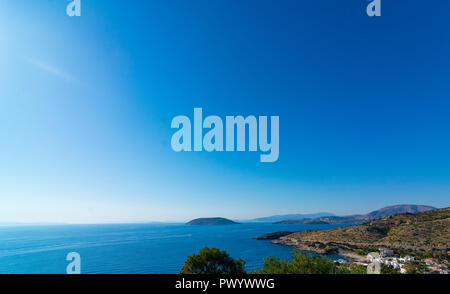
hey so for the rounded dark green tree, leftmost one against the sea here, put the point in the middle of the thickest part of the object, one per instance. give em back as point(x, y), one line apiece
point(212, 261)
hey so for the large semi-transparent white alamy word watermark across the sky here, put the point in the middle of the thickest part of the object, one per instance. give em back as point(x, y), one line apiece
point(213, 140)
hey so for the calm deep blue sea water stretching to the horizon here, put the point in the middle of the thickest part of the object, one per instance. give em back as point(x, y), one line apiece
point(133, 248)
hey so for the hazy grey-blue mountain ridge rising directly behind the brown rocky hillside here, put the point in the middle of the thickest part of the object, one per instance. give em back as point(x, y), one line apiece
point(360, 218)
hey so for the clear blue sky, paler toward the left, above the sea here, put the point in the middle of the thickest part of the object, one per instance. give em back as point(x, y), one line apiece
point(86, 105)
